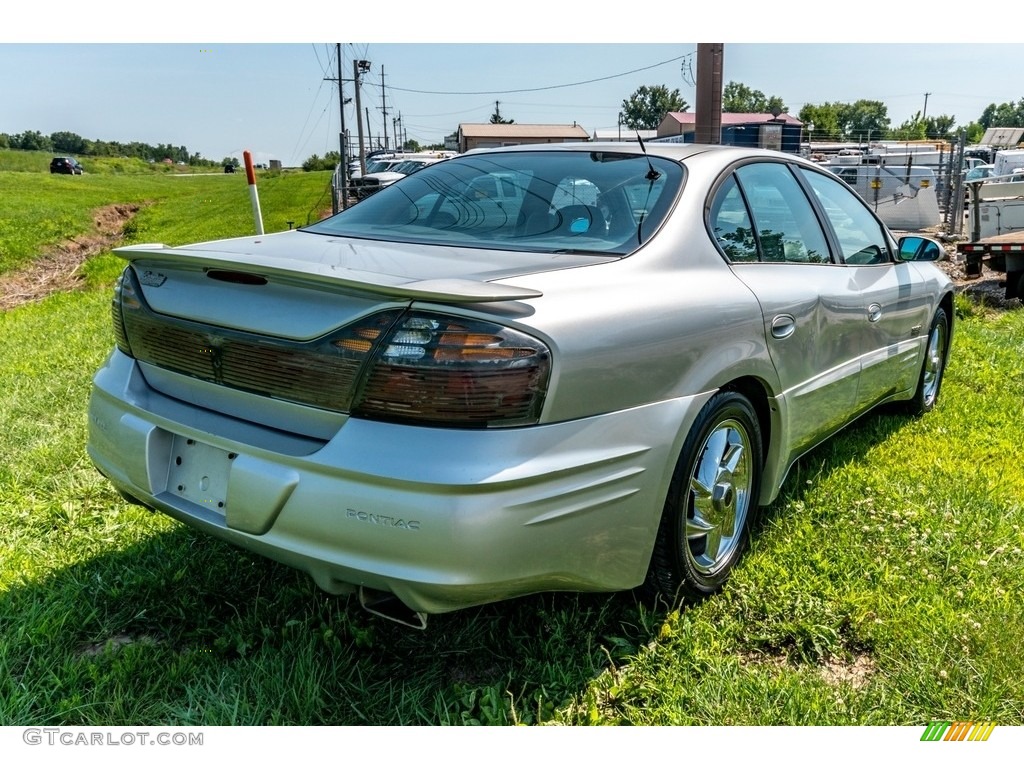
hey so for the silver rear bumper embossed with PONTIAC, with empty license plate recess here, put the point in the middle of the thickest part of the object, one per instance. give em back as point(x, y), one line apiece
point(442, 519)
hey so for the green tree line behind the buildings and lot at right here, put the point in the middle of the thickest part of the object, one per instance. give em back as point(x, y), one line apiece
point(865, 120)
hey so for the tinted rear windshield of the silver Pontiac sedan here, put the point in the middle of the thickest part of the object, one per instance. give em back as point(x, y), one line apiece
point(526, 201)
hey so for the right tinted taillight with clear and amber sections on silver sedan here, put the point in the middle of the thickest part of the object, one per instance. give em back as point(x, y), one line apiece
point(444, 371)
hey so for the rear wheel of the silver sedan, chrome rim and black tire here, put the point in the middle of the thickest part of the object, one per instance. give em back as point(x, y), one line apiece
point(712, 502)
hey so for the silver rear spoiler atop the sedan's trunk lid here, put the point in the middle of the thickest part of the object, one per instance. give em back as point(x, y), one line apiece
point(449, 290)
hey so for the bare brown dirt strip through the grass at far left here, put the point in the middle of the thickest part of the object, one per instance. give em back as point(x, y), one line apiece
point(58, 270)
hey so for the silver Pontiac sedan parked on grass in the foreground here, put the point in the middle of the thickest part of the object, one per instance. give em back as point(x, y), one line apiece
point(455, 393)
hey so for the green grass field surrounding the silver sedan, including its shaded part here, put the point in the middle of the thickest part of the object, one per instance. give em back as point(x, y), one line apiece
point(883, 588)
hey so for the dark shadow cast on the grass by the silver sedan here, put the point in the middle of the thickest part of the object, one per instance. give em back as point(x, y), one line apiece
point(181, 628)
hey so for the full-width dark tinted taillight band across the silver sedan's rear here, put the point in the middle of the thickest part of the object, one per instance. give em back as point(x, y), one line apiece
point(419, 368)
